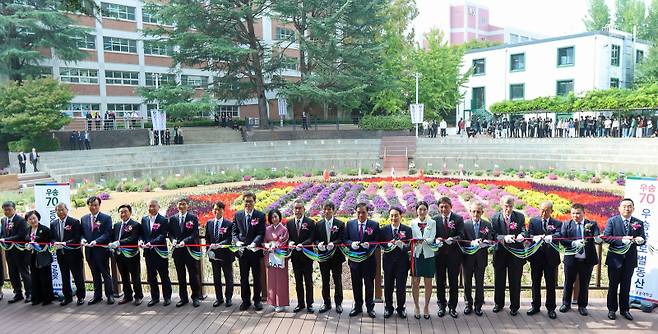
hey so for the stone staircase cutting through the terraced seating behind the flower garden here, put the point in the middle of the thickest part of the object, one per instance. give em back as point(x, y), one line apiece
point(396, 152)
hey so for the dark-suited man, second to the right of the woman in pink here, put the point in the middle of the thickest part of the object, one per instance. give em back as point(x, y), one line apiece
point(329, 233)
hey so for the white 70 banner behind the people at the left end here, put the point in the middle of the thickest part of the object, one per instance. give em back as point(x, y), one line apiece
point(46, 197)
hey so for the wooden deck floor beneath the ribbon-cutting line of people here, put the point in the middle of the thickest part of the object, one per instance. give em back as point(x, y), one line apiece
point(116, 319)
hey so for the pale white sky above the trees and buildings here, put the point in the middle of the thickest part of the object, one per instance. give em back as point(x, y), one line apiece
point(545, 17)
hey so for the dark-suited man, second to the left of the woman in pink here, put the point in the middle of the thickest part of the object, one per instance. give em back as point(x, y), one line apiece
point(219, 232)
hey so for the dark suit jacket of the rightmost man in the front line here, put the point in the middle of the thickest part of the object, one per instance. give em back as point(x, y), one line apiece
point(615, 228)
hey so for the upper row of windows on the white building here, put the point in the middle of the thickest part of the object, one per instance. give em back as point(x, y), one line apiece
point(565, 57)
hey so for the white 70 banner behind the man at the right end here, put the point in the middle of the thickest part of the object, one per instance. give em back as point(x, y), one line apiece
point(643, 192)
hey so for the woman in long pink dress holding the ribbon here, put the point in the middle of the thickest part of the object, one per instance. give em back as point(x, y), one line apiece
point(276, 235)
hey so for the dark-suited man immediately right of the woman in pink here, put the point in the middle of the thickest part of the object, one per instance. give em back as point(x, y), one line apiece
point(301, 232)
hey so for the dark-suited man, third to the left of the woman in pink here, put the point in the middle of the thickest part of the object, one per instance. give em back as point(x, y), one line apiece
point(184, 230)
